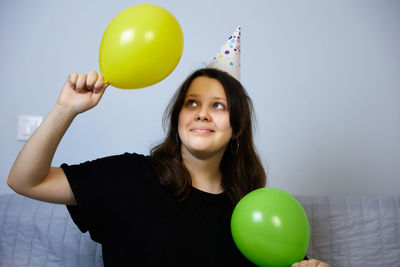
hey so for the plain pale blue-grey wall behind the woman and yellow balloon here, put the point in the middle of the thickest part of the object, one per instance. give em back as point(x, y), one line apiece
point(324, 77)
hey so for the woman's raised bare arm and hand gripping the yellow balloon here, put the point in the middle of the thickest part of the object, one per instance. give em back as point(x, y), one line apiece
point(31, 174)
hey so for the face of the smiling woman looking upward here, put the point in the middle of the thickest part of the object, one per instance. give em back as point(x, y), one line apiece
point(204, 123)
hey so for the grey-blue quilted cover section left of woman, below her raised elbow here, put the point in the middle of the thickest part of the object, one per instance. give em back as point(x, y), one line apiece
point(39, 234)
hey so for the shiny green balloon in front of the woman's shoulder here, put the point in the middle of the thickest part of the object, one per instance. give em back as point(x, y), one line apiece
point(270, 228)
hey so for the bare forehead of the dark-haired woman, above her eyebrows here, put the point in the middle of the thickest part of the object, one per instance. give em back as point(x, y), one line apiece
point(206, 87)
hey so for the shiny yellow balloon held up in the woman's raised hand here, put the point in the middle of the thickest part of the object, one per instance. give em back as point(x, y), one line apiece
point(140, 47)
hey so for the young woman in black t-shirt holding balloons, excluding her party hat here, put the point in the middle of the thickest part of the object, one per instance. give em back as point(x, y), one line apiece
point(170, 208)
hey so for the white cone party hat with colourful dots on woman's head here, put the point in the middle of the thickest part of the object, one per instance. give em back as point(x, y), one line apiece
point(228, 58)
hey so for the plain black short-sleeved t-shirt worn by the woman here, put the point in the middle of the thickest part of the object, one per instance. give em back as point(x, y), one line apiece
point(139, 223)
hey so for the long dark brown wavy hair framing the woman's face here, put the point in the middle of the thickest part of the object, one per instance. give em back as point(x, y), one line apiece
point(241, 167)
